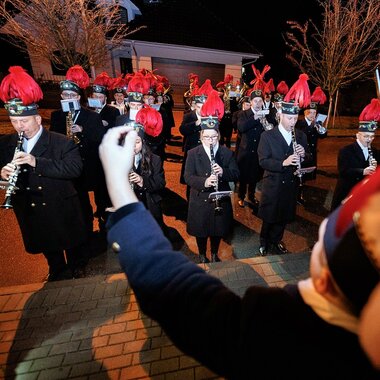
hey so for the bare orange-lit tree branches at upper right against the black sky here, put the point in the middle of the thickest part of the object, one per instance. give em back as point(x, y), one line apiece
point(343, 49)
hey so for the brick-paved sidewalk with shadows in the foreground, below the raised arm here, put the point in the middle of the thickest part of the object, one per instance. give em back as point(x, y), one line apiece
point(92, 328)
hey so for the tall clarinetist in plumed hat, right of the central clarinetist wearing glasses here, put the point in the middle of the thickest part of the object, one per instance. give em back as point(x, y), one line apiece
point(281, 151)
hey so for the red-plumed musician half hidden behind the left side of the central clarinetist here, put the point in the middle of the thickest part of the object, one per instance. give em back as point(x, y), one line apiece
point(191, 124)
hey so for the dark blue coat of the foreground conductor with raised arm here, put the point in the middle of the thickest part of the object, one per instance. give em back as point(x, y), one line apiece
point(269, 333)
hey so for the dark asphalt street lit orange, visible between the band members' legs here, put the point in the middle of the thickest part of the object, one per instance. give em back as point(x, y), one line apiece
point(18, 267)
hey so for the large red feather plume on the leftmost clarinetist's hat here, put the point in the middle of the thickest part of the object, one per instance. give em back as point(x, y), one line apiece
point(19, 84)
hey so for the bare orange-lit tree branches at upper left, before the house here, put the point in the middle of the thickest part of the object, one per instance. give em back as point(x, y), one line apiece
point(81, 31)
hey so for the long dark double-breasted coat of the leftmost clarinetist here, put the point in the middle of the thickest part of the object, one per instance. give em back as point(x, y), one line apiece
point(46, 205)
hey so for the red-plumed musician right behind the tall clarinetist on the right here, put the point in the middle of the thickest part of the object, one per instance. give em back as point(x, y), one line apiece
point(314, 130)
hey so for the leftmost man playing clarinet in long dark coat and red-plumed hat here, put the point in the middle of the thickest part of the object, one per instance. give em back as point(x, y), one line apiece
point(45, 202)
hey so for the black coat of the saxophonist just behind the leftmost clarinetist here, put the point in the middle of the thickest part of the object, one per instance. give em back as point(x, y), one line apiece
point(91, 137)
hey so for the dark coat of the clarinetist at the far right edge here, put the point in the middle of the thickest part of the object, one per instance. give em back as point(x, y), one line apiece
point(351, 163)
